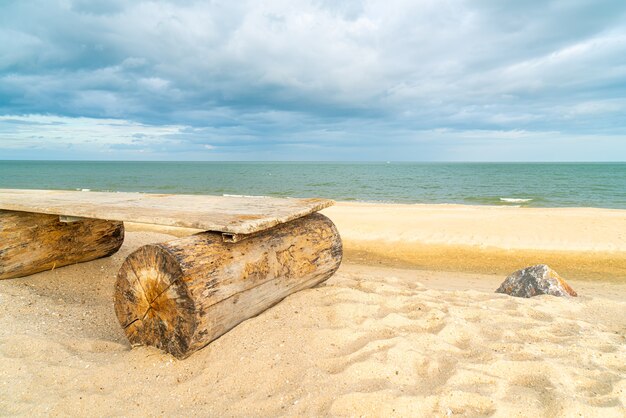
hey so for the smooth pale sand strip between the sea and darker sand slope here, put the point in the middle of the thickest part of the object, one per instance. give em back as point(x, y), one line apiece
point(515, 228)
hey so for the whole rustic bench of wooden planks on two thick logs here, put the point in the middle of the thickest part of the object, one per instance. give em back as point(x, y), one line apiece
point(181, 294)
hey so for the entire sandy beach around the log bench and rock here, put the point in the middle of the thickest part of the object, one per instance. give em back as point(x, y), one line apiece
point(409, 326)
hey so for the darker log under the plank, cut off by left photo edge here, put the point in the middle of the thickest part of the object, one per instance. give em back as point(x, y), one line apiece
point(34, 242)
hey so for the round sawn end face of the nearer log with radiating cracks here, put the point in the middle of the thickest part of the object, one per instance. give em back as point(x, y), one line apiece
point(152, 302)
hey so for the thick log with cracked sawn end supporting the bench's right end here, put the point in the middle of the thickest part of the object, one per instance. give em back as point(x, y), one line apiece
point(181, 295)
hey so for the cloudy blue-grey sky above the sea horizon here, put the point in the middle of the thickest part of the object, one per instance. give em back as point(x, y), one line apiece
point(324, 80)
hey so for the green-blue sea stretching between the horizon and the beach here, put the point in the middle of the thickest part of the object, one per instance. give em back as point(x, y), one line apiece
point(508, 184)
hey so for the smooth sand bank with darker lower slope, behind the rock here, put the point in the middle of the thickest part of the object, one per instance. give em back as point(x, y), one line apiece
point(580, 243)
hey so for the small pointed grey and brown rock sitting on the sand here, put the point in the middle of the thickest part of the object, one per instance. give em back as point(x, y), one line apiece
point(536, 280)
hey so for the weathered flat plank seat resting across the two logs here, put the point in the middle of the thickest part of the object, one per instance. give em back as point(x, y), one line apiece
point(228, 214)
